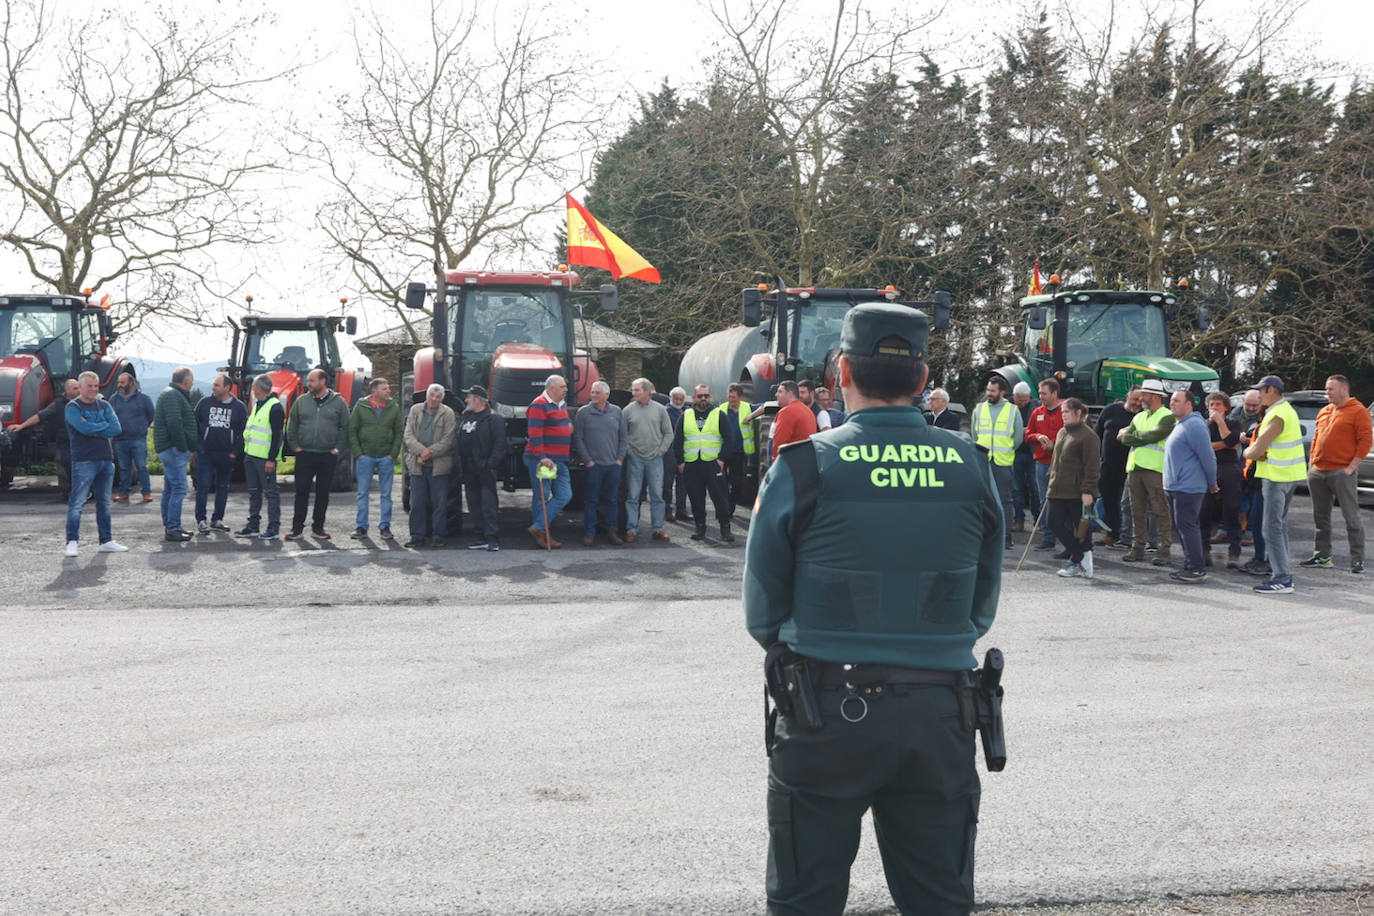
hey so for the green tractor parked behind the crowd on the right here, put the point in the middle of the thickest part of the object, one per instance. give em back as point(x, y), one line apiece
point(1100, 344)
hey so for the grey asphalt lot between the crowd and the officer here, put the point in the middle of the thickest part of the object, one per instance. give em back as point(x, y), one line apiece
point(352, 727)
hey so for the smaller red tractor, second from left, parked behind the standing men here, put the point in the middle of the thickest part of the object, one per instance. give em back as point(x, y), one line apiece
point(288, 348)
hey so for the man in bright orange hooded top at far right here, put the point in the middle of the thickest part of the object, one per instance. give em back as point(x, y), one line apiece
point(1343, 439)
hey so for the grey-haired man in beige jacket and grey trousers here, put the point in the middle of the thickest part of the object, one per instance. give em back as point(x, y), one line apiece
point(429, 459)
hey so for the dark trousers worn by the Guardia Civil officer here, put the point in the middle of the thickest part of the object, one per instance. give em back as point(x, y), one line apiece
point(910, 760)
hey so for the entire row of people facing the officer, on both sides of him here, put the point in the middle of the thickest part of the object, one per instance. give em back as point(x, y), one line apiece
point(1151, 472)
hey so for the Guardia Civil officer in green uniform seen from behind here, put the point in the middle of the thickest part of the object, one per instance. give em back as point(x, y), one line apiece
point(875, 557)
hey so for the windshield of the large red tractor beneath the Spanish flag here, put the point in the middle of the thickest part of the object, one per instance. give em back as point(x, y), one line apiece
point(490, 318)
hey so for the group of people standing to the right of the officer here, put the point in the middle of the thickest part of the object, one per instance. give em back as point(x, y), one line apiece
point(1153, 468)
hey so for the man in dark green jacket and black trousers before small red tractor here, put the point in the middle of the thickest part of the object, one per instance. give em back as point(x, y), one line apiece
point(318, 433)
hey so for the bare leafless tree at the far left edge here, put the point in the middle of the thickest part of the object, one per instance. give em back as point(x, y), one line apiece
point(113, 159)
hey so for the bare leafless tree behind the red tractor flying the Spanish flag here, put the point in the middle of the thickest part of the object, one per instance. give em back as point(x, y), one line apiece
point(457, 144)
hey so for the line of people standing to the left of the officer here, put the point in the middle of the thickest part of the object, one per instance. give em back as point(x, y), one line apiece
point(670, 454)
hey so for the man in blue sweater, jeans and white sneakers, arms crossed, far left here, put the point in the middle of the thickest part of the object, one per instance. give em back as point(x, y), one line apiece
point(91, 425)
